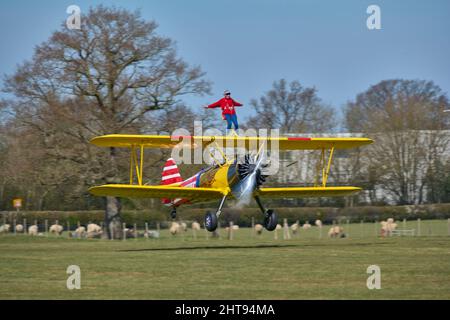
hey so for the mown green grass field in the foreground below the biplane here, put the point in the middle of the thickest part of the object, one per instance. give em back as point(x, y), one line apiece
point(304, 267)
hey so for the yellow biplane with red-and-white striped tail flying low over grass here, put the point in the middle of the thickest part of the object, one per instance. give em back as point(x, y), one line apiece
point(235, 178)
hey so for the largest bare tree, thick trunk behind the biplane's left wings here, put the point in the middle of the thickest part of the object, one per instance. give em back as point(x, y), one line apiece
point(102, 79)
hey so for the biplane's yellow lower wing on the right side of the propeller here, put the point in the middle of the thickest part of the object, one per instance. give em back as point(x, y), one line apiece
point(304, 192)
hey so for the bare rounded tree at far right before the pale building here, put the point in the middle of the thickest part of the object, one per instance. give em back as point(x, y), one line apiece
point(405, 119)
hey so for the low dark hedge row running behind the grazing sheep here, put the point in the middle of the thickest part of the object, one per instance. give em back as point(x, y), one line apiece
point(243, 217)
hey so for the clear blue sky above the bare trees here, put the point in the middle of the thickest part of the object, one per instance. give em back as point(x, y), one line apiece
point(245, 45)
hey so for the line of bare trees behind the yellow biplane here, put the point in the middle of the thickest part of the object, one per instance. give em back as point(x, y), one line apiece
point(118, 75)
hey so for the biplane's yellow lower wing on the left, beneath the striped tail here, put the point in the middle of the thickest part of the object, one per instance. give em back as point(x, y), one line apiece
point(136, 191)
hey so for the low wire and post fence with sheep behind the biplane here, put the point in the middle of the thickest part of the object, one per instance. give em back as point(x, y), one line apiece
point(412, 228)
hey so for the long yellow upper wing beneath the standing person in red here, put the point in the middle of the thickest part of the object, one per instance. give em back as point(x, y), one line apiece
point(282, 143)
